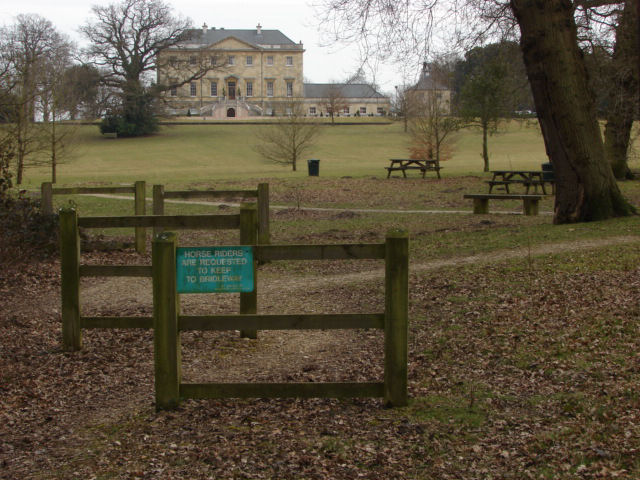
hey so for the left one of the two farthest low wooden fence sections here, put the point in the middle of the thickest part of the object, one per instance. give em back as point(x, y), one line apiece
point(47, 191)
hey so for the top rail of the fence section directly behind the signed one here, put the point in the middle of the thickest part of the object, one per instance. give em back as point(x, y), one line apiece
point(169, 221)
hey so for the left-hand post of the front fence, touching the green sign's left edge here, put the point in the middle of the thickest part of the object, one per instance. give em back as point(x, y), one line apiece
point(166, 337)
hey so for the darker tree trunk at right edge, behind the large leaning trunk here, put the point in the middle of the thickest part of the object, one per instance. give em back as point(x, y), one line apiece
point(623, 94)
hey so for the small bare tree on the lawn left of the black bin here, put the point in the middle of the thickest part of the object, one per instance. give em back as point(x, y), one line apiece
point(289, 138)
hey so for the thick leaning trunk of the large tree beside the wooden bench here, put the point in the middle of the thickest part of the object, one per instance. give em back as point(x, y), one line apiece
point(585, 186)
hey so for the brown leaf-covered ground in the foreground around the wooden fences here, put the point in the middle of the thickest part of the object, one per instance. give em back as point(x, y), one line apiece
point(520, 366)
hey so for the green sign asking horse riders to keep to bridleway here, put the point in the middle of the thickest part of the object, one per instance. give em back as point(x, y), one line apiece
point(214, 269)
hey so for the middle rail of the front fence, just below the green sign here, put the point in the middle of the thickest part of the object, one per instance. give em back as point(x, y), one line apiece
point(281, 322)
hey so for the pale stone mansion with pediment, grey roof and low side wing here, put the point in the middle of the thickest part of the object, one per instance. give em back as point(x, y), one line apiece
point(253, 73)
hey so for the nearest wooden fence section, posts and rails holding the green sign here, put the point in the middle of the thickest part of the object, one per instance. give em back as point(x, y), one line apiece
point(168, 323)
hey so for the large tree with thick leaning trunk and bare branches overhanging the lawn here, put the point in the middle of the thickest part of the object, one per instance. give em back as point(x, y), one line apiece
point(585, 185)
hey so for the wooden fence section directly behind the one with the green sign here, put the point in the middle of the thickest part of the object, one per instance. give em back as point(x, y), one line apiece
point(72, 270)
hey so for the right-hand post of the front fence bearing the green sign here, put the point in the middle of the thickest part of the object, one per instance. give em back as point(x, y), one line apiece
point(396, 318)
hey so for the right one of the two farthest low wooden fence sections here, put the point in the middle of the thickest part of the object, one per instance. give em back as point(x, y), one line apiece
point(261, 194)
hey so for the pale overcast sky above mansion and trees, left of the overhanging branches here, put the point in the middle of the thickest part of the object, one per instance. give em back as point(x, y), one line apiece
point(294, 18)
